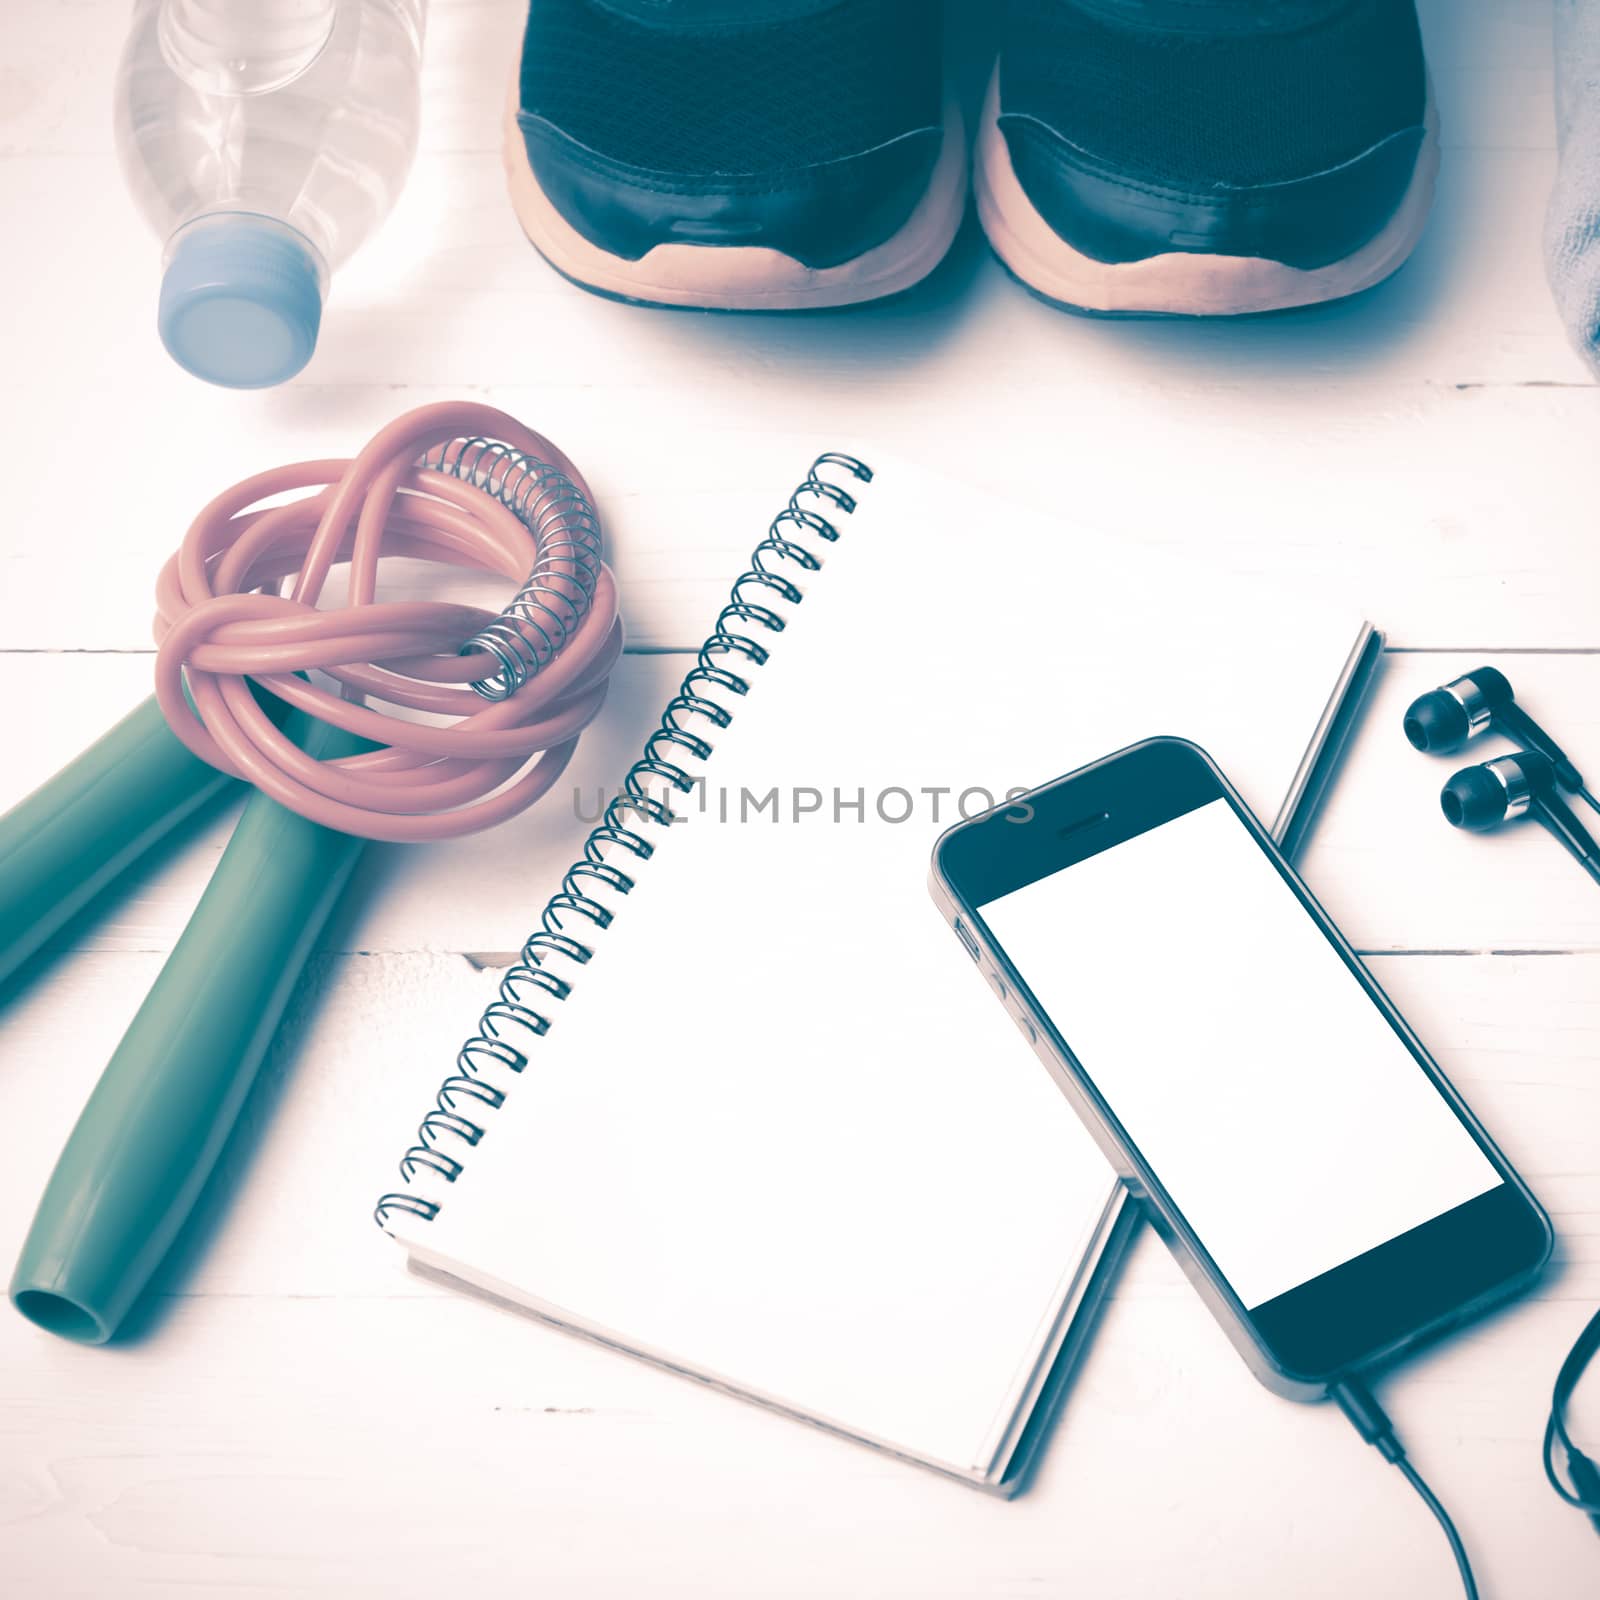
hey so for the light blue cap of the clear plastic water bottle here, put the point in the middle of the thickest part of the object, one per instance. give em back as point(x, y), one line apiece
point(241, 302)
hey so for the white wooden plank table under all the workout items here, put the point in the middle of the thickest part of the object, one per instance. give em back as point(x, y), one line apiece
point(292, 1414)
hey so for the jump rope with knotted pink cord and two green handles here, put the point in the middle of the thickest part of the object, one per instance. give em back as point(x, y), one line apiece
point(430, 721)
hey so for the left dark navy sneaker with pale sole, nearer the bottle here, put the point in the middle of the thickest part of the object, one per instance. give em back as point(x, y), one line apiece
point(737, 154)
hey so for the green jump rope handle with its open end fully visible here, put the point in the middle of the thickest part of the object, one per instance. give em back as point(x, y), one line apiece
point(162, 1111)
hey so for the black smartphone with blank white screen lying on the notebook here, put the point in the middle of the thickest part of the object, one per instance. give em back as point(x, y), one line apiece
point(1314, 1172)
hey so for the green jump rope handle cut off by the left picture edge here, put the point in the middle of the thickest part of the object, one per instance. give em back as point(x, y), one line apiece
point(92, 822)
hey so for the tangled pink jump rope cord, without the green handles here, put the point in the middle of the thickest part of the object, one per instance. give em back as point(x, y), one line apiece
point(222, 622)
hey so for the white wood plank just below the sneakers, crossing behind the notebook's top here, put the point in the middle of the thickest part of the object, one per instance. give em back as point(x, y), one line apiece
point(1452, 518)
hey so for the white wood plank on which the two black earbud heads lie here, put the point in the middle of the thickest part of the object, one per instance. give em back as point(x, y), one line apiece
point(1390, 870)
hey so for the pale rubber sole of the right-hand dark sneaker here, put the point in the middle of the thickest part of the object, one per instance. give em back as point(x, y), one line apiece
point(1180, 284)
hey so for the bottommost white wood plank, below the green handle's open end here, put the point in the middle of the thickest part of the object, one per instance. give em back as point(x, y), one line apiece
point(297, 1447)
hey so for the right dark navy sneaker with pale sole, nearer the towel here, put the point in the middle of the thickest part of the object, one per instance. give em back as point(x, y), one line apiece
point(1206, 158)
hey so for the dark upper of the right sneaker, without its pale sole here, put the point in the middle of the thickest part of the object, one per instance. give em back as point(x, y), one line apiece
point(1284, 129)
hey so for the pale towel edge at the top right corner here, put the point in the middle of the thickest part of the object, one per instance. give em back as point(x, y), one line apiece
point(1572, 226)
